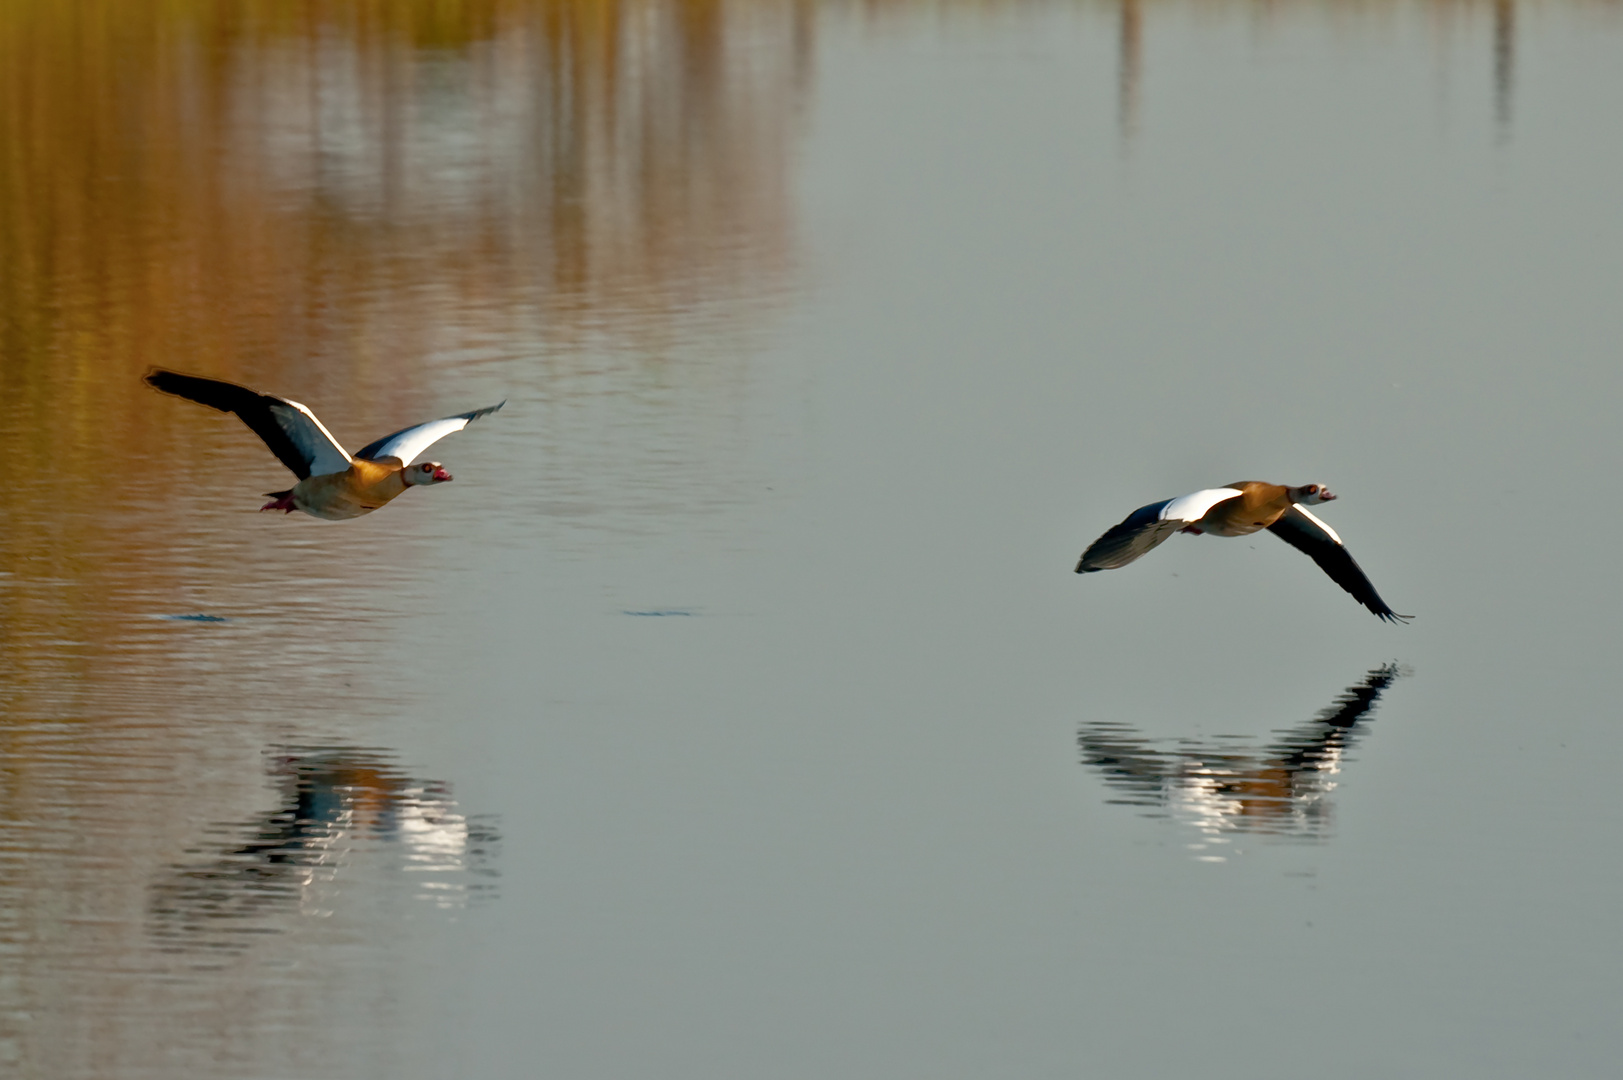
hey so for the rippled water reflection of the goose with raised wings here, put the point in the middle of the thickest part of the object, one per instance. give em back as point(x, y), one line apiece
point(345, 814)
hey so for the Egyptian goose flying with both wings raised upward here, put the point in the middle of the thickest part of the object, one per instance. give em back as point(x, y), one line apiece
point(332, 483)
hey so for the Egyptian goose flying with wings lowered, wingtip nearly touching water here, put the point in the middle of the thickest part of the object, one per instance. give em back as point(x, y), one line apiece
point(1239, 511)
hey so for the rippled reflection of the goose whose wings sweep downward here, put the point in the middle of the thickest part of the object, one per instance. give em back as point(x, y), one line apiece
point(1281, 790)
